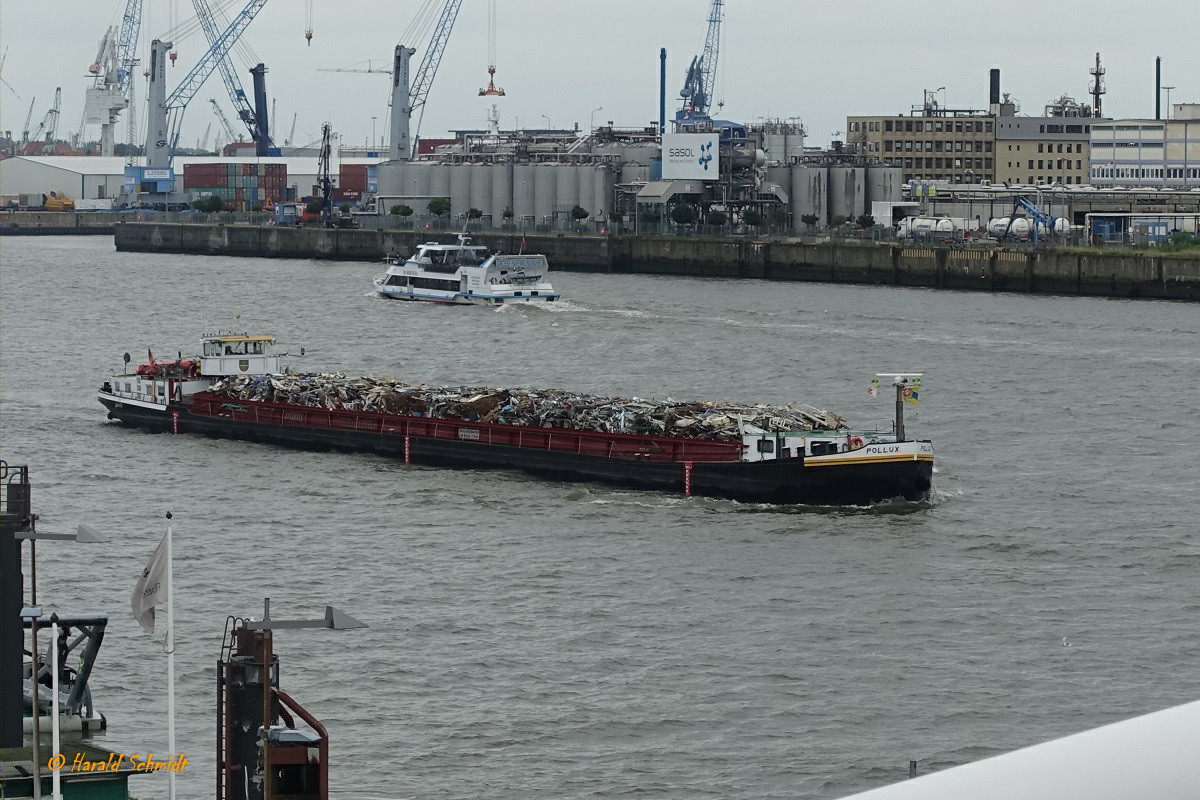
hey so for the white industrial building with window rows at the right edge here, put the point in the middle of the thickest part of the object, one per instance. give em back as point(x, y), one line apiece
point(1136, 153)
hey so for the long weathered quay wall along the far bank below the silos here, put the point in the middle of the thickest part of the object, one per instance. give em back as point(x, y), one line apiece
point(1114, 275)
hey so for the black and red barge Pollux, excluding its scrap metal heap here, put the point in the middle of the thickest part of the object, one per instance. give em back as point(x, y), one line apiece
point(836, 466)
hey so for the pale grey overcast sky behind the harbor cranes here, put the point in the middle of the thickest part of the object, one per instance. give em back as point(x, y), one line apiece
point(561, 59)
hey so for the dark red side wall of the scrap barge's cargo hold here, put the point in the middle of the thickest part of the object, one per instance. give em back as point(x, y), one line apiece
point(590, 443)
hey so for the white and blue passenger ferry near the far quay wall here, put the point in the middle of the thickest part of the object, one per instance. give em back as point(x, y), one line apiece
point(466, 275)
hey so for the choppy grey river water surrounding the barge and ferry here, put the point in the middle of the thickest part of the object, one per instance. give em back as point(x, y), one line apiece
point(559, 641)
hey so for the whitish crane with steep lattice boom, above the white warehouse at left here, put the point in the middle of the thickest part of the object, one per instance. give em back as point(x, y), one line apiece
point(112, 91)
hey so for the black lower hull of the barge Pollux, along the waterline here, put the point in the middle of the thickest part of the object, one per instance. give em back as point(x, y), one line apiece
point(787, 482)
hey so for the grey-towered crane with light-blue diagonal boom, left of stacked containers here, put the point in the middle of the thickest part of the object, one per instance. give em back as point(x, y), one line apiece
point(167, 112)
